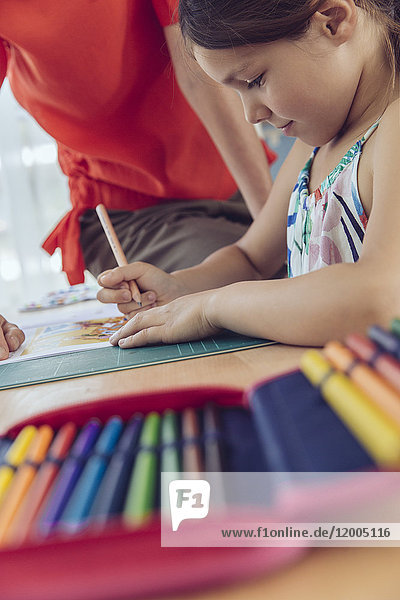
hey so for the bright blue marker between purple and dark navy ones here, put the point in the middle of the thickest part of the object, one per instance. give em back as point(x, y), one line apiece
point(78, 507)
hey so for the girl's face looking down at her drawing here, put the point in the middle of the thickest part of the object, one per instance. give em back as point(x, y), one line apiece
point(304, 87)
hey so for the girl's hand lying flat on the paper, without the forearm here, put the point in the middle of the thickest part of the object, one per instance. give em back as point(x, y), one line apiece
point(182, 320)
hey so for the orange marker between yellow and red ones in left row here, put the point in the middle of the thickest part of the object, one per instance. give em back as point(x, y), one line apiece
point(23, 478)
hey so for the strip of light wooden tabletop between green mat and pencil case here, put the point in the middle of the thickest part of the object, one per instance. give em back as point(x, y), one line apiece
point(237, 369)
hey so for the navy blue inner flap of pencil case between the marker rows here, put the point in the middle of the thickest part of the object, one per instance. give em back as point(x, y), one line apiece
point(299, 431)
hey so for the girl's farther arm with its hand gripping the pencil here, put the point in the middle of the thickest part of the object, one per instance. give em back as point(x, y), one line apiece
point(260, 253)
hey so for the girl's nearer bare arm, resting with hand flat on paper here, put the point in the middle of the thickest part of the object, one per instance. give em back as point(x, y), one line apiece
point(313, 308)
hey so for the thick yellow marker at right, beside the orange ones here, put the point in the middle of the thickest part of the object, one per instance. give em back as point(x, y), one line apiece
point(379, 434)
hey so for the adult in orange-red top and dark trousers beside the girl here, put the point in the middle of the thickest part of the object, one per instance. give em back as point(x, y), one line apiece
point(138, 129)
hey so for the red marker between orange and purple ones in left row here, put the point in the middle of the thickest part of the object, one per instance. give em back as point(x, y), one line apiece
point(26, 516)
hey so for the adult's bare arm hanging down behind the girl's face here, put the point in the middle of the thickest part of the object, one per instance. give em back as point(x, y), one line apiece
point(221, 113)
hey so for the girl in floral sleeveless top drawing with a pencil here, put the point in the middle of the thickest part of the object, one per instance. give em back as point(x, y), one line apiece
point(326, 72)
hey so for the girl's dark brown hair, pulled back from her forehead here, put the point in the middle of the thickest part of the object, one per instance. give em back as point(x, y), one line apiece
point(217, 24)
